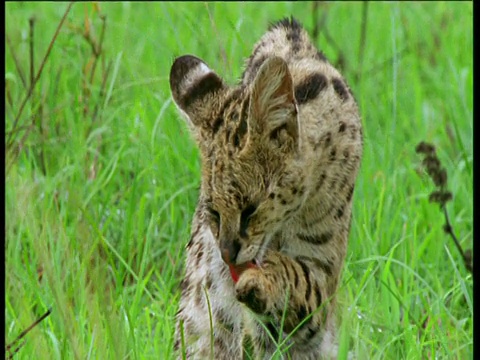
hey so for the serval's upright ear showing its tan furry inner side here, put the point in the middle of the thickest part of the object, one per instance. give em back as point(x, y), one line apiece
point(273, 110)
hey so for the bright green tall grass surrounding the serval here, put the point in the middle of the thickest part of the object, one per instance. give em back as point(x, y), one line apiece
point(100, 205)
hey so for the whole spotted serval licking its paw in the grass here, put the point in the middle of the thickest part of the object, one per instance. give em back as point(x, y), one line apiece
point(280, 153)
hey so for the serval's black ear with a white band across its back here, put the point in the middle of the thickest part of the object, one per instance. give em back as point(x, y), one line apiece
point(193, 85)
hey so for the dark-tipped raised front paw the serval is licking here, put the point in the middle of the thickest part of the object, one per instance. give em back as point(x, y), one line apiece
point(252, 289)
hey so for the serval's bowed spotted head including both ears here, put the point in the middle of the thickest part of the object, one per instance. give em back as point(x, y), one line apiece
point(248, 138)
